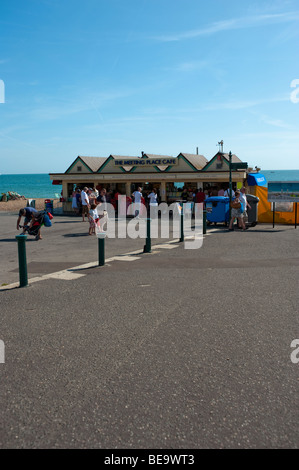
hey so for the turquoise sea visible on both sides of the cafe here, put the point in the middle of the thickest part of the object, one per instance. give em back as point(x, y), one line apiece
point(40, 186)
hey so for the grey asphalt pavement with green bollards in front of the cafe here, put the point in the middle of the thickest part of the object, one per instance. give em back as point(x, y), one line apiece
point(173, 349)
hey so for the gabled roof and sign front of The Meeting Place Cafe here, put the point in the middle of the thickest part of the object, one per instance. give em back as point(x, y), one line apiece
point(167, 174)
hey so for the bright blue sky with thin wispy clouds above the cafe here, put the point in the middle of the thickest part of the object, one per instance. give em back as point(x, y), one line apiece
point(104, 77)
